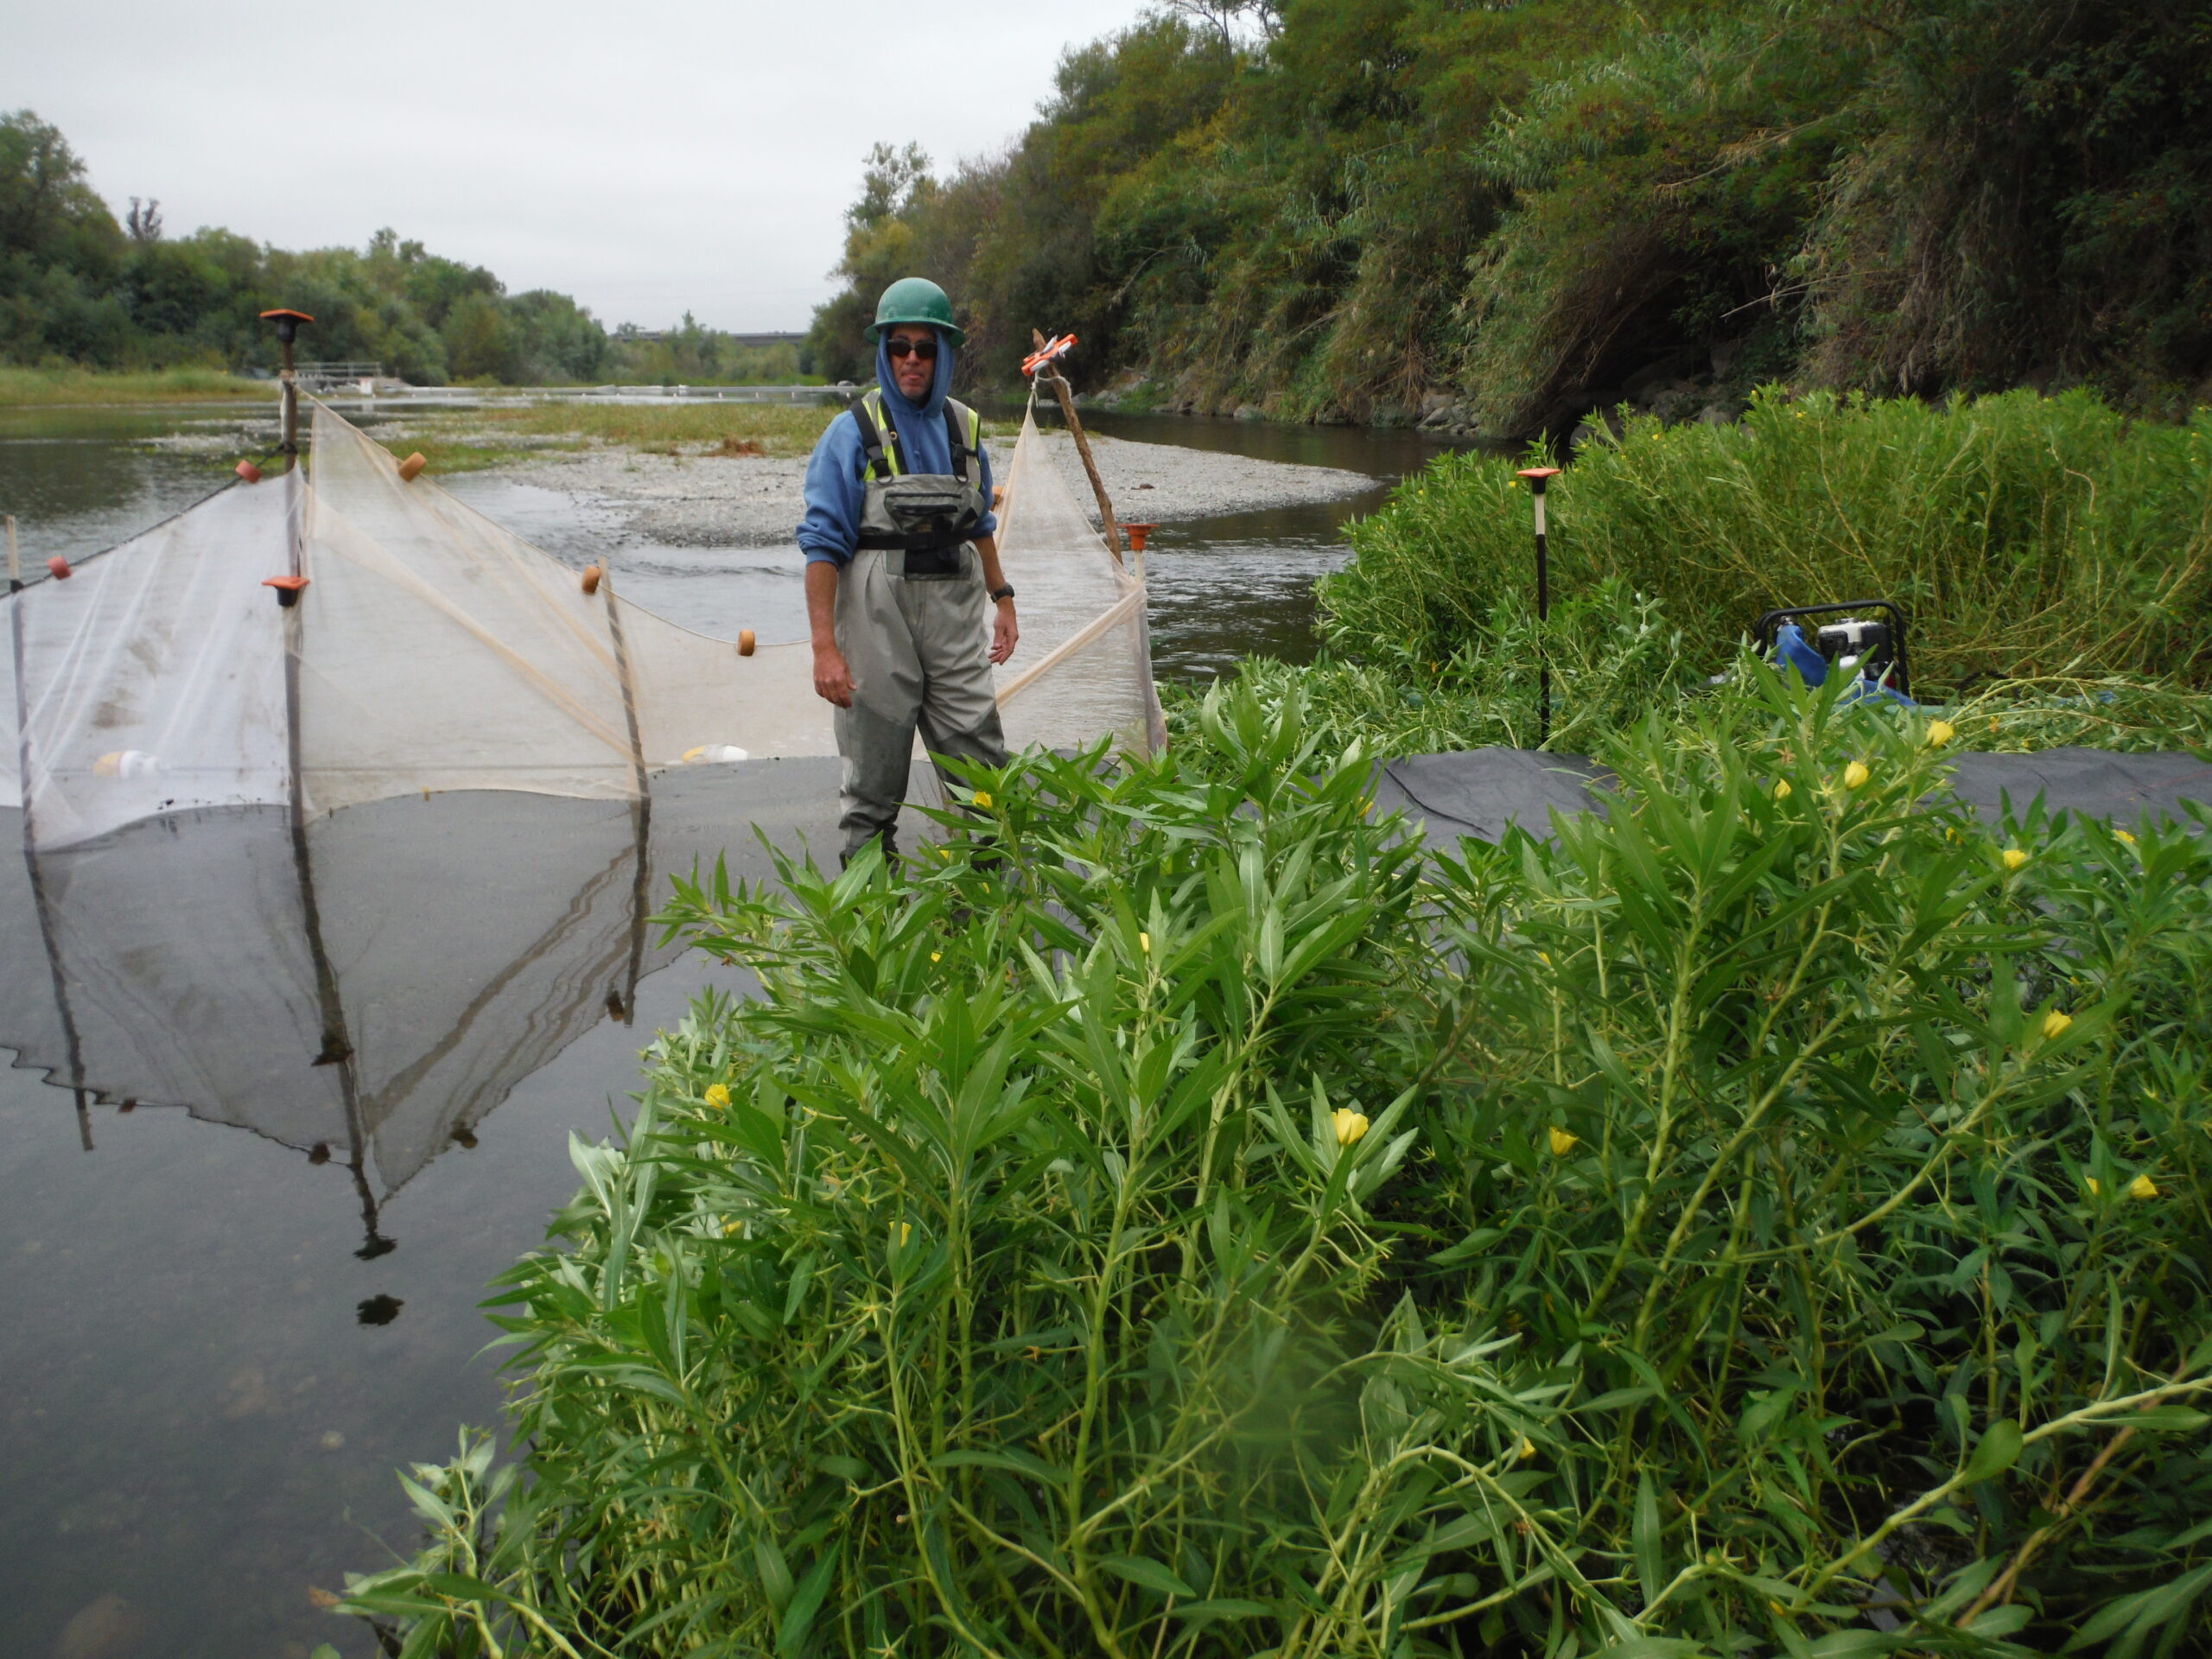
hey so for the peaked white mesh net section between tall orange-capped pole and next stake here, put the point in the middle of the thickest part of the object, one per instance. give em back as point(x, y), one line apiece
point(441, 651)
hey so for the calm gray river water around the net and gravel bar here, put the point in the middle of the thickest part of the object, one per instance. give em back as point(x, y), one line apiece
point(225, 1328)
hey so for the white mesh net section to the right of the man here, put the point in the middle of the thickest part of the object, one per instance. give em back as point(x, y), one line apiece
point(1085, 665)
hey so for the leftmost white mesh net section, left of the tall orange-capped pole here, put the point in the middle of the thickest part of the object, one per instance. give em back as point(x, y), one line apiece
point(154, 676)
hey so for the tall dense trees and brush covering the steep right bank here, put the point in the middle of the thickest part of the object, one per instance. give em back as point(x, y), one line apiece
point(1510, 216)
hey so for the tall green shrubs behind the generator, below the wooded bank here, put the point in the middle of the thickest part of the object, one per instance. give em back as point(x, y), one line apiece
point(2025, 534)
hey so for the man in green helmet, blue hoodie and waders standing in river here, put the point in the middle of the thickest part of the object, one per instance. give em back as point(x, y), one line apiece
point(901, 556)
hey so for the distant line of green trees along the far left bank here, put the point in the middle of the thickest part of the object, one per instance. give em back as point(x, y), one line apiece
point(87, 291)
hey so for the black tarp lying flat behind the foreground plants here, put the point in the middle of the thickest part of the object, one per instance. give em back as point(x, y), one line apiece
point(1479, 793)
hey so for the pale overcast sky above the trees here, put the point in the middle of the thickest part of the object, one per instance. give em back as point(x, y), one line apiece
point(647, 158)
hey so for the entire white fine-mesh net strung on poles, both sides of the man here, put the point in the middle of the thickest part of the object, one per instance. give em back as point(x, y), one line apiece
point(437, 651)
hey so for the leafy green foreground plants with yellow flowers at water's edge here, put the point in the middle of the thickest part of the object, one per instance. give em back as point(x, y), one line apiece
point(1180, 1220)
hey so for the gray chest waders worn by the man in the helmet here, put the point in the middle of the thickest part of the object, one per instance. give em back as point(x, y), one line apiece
point(910, 623)
